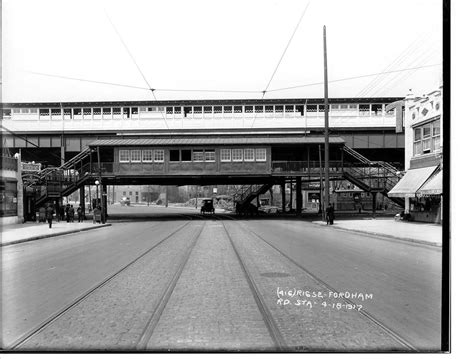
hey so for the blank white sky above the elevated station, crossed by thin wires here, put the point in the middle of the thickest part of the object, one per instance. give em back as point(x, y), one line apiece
point(217, 45)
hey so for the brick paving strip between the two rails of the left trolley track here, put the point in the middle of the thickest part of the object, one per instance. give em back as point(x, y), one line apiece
point(114, 317)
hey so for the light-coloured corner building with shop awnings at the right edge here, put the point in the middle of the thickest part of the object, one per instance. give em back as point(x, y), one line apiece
point(421, 186)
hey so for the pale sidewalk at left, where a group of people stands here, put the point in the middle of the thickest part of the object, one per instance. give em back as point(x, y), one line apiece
point(18, 233)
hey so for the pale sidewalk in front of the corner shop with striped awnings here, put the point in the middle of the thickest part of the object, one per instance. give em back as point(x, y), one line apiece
point(425, 233)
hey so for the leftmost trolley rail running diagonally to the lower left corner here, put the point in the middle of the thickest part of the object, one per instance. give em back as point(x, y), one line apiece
point(58, 314)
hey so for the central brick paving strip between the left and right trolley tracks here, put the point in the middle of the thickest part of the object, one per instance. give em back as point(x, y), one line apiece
point(212, 306)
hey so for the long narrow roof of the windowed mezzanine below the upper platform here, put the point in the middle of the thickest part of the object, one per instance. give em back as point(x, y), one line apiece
point(219, 141)
